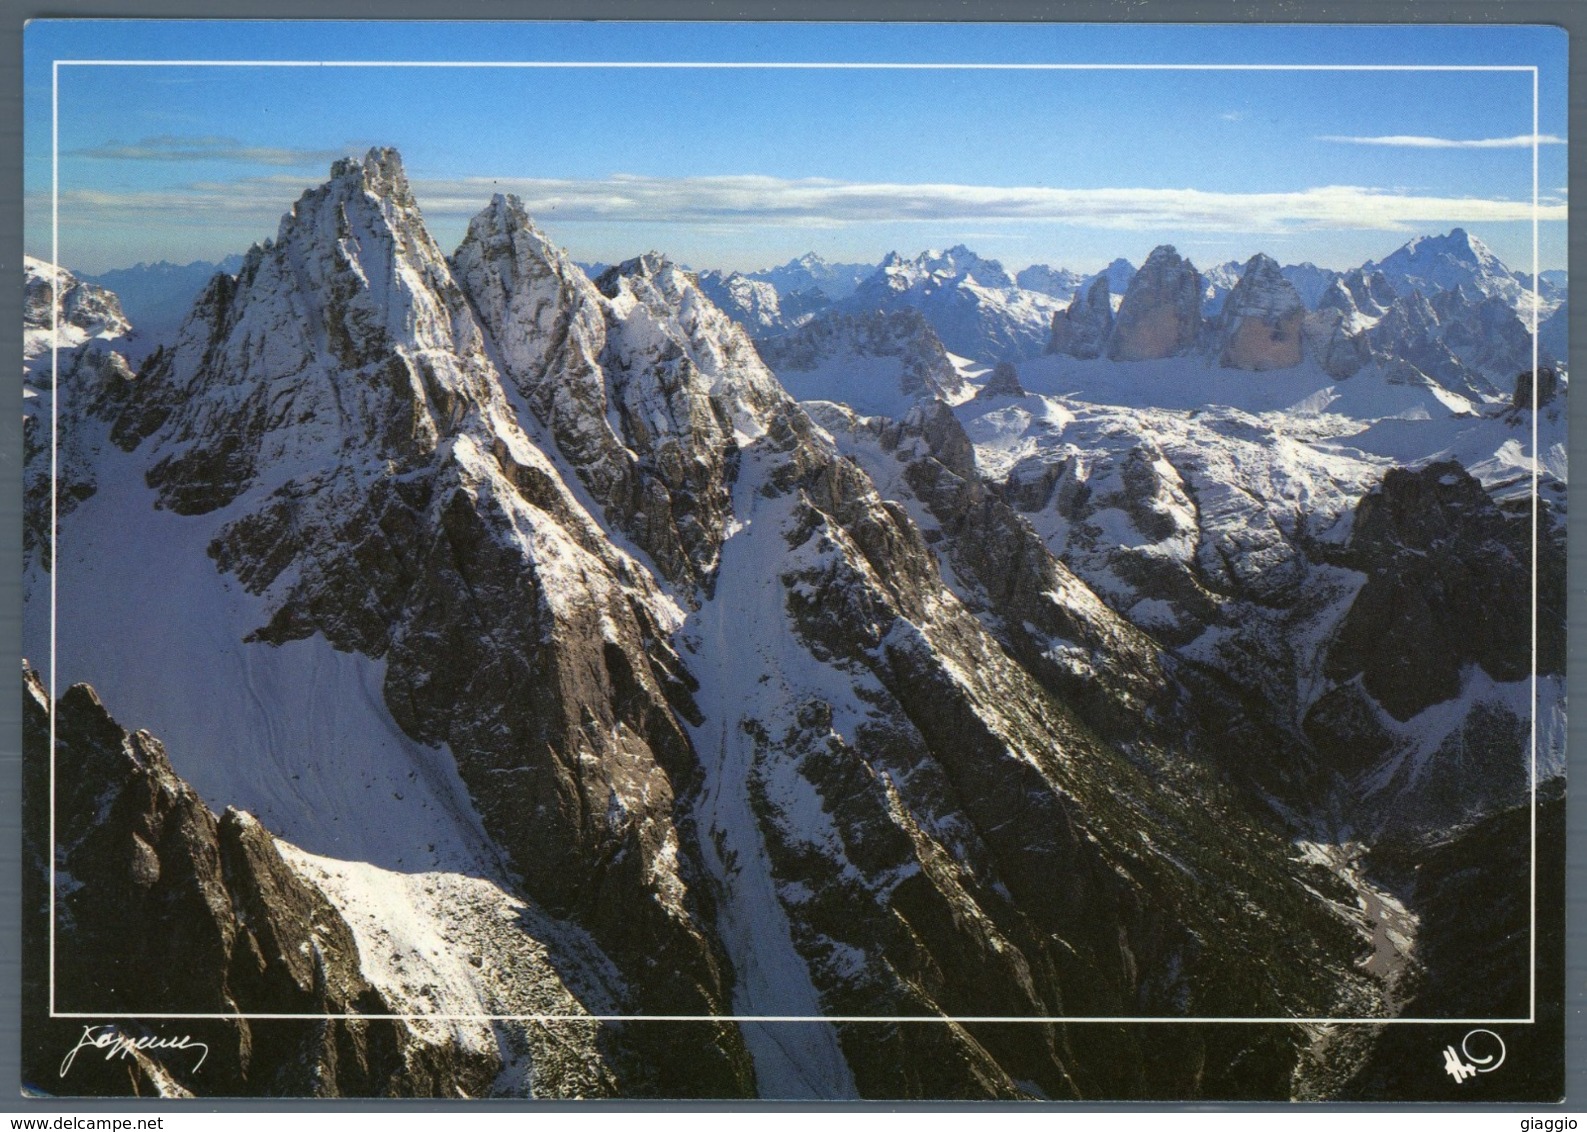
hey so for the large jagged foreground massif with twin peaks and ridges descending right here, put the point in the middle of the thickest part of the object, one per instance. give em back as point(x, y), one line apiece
point(820, 747)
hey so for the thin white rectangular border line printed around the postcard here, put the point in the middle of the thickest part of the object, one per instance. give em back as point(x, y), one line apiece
point(1116, 1020)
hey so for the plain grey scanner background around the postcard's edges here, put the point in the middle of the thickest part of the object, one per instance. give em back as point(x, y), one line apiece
point(15, 13)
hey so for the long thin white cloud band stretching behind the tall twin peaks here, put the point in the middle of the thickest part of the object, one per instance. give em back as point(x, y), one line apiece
point(759, 201)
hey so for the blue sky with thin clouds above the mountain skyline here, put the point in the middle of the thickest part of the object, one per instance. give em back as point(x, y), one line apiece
point(753, 166)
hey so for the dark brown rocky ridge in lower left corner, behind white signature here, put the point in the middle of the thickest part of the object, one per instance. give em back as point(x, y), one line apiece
point(163, 909)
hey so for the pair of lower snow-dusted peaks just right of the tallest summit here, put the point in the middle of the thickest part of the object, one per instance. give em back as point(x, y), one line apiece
point(642, 383)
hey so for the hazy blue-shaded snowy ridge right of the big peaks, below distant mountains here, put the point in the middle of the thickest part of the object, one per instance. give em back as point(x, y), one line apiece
point(812, 361)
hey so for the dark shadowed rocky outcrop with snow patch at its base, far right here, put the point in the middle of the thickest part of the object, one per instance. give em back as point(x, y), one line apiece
point(1445, 618)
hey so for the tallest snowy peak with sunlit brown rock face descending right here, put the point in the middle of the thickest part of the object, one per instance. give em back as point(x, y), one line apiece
point(340, 401)
